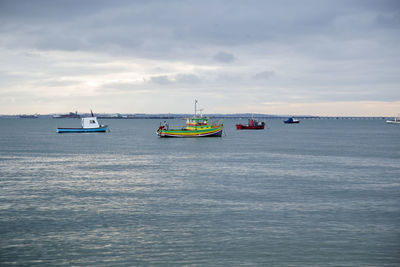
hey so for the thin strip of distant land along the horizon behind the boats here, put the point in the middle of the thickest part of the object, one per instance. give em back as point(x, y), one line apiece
point(179, 116)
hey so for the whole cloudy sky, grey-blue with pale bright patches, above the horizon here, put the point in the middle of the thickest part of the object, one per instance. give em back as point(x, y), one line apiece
point(310, 57)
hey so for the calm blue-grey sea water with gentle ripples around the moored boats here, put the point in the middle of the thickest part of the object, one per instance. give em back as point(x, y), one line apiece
point(321, 193)
